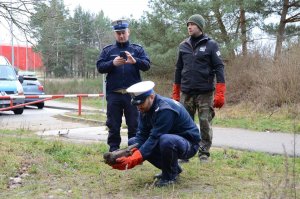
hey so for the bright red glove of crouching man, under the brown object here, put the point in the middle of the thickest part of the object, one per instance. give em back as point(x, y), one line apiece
point(129, 162)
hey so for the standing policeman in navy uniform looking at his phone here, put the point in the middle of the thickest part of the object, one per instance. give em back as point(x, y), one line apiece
point(122, 63)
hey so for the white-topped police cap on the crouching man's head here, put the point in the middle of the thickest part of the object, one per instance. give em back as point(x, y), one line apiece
point(140, 91)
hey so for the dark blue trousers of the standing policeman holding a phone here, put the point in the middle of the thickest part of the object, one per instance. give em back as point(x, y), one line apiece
point(117, 105)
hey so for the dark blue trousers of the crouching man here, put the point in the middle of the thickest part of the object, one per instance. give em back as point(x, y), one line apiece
point(166, 153)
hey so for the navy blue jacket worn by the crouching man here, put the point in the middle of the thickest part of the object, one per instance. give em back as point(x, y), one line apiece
point(166, 116)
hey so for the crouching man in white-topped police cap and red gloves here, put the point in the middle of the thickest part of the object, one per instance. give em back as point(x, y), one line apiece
point(166, 133)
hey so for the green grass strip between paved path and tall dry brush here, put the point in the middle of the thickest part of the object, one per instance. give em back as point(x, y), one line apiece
point(242, 116)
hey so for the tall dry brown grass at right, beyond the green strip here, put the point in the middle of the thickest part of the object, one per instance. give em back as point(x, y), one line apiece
point(267, 83)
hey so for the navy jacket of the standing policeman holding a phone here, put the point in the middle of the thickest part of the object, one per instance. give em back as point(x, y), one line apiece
point(121, 77)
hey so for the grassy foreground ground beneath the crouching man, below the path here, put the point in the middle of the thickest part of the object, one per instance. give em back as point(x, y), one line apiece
point(55, 169)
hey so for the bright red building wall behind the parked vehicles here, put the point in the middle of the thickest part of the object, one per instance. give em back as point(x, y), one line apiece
point(34, 60)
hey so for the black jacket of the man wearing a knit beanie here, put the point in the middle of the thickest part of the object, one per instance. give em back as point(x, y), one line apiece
point(197, 66)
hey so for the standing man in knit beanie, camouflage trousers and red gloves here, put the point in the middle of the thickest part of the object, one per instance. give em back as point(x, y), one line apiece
point(198, 65)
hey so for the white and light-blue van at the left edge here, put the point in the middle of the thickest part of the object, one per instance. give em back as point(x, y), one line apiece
point(10, 84)
